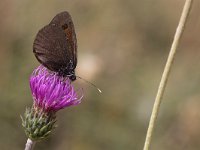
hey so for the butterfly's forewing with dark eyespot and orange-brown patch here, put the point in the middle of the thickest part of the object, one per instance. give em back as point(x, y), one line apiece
point(64, 21)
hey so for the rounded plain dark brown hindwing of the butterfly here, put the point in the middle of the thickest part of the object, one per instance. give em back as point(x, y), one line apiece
point(51, 49)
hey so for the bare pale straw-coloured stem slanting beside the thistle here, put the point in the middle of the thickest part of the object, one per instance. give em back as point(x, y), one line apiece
point(165, 75)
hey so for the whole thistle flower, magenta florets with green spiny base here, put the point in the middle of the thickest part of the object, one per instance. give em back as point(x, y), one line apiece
point(50, 93)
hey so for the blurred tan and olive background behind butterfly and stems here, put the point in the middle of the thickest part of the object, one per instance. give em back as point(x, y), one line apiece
point(122, 48)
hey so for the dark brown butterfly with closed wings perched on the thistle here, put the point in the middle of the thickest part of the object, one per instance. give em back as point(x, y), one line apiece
point(55, 46)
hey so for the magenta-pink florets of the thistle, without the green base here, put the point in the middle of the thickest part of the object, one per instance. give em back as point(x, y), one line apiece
point(52, 92)
